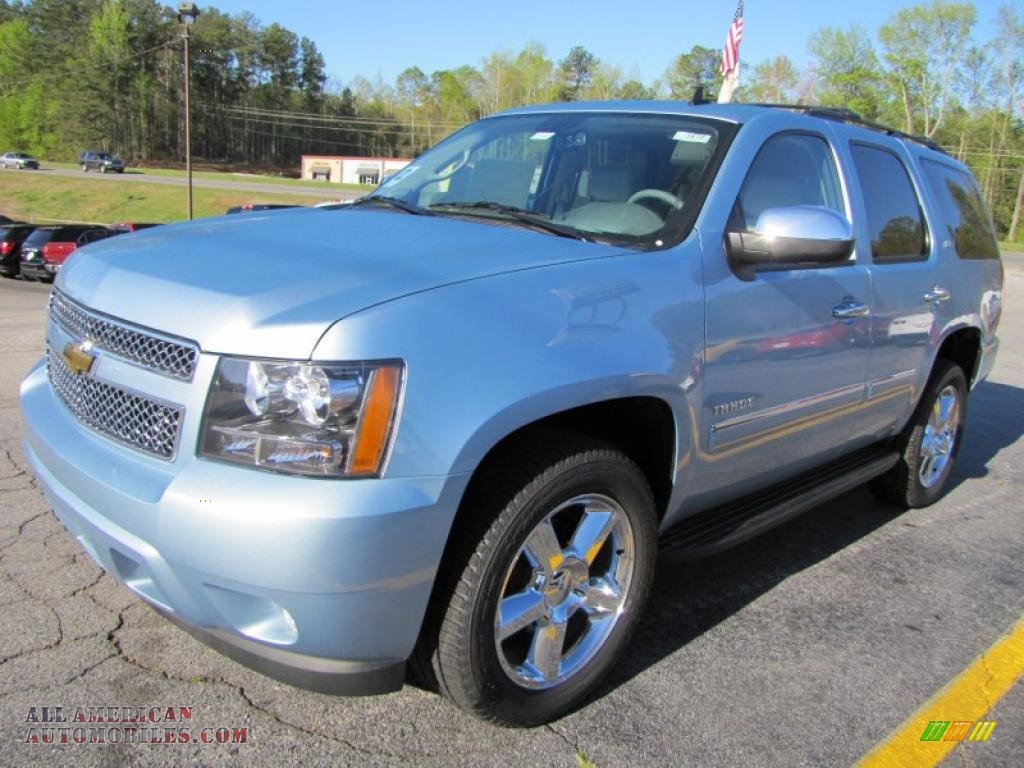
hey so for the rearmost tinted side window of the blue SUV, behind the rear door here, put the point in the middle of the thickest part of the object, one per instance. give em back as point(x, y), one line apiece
point(964, 211)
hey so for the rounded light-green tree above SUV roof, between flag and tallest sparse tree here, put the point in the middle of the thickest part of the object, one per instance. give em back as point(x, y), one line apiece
point(847, 70)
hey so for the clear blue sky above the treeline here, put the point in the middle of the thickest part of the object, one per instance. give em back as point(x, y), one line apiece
point(383, 37)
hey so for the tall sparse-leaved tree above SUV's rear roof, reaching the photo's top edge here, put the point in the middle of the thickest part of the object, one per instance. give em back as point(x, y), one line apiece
point(923, 47)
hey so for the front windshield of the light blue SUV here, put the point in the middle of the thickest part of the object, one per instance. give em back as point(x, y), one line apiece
point(620, 178)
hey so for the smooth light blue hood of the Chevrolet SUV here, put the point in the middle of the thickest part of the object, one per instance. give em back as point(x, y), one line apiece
point(270, 285)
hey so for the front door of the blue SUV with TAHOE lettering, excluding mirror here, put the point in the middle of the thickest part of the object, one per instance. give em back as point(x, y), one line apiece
point(784, 376)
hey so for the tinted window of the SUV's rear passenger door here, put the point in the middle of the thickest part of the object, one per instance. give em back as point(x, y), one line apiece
point(894, 214)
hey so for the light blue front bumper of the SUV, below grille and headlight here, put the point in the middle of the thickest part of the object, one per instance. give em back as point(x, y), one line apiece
point(322, 584)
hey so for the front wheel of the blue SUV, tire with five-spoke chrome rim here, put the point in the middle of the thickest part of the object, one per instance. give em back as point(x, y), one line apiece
point(585, 625)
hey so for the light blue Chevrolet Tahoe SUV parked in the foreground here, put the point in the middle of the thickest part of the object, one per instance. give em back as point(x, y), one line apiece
point(454, 429)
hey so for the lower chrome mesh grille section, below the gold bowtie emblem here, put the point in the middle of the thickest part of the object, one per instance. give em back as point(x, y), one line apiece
point(120, 414)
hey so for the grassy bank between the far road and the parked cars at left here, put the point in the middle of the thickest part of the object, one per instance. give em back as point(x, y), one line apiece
point(38, 198)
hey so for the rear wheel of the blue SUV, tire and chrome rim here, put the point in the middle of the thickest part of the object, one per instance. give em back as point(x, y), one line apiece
point(921, 477)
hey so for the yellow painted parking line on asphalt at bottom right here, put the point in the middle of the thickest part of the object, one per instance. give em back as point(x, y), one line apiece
point(969, 697)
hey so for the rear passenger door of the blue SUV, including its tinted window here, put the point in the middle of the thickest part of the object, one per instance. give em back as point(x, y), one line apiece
point(907, 291)
